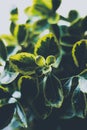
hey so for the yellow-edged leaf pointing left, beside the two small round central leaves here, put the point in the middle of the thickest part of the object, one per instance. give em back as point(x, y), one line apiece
point(23, 63)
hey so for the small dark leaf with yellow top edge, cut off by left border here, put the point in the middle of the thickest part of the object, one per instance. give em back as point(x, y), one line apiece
point(4, 92)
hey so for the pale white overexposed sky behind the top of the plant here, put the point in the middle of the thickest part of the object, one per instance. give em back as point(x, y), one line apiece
point(7, 5)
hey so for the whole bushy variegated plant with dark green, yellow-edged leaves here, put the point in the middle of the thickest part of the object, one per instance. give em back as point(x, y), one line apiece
point(43, 67)
